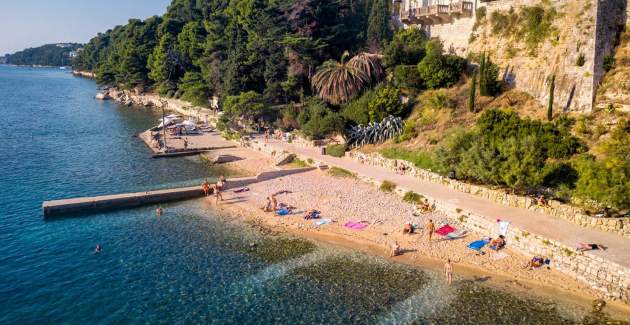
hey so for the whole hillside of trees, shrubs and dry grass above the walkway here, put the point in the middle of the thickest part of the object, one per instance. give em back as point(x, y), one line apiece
point(324, 69)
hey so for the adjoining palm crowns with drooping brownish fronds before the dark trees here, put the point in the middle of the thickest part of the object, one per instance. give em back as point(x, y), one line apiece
point(339, 82)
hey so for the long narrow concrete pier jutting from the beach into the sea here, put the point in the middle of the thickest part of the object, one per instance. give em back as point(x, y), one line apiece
point(118, 201)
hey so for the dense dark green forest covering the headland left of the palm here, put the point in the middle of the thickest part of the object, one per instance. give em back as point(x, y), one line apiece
point(211, 47)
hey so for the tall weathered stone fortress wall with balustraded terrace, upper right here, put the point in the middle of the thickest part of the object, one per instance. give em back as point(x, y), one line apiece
point(583, 34)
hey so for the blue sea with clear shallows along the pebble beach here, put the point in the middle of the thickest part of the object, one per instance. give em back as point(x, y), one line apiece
point(189, 265)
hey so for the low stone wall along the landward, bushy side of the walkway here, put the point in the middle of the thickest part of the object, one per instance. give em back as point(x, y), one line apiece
point(556, 209)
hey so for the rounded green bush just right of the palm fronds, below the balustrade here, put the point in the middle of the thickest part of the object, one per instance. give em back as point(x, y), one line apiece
point(406, 48)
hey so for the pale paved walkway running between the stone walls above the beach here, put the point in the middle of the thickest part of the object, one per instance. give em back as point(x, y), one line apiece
point(537, 223)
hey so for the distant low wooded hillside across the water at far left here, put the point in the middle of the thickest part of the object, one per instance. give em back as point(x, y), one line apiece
point(60, 54)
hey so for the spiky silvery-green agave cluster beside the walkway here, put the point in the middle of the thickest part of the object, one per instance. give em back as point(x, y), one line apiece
point(374, 132)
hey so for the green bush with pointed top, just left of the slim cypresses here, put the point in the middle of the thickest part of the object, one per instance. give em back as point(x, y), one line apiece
point(439, 70)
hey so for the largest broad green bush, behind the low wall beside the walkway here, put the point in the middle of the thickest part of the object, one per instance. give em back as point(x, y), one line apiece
point(504, 149)
